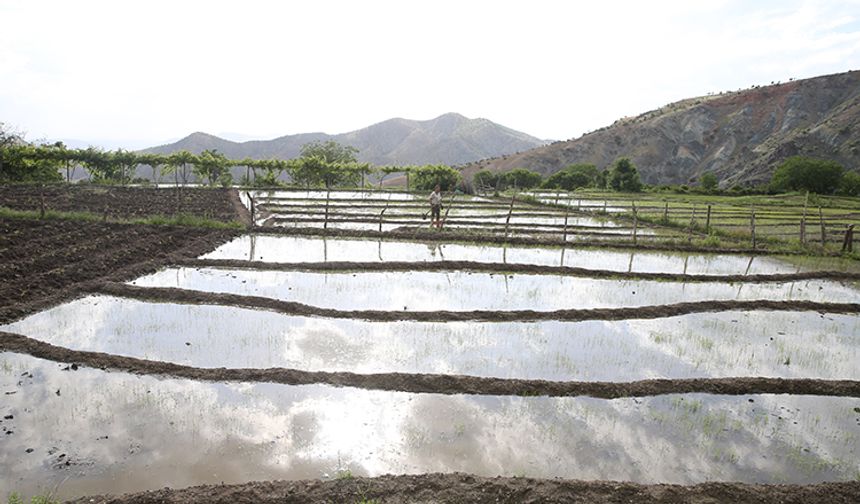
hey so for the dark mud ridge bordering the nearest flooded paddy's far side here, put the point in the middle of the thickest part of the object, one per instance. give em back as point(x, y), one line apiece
point(435, 383)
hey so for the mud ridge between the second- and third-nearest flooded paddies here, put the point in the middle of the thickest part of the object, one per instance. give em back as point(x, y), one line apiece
point(174, 295)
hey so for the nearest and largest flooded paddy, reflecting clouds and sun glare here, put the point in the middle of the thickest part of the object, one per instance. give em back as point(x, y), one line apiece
point(83, 431)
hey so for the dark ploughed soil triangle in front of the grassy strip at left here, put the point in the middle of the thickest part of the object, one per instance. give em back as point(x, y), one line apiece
point(43, 262)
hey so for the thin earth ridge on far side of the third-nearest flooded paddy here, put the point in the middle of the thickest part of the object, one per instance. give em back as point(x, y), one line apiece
point(532, 269)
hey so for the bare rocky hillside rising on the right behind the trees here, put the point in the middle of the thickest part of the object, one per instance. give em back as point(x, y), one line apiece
point(740, 136)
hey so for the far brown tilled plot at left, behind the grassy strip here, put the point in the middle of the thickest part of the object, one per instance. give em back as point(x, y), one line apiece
point(123, 202)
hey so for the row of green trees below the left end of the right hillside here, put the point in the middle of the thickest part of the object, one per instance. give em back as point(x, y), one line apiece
point(621, 176)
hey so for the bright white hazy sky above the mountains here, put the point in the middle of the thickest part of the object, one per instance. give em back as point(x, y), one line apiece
point(139, 73)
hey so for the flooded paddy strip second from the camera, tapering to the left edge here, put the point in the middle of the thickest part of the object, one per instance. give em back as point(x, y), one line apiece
point(723, 344)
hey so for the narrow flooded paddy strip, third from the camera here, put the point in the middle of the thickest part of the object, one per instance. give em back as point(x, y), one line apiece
point(466, 290)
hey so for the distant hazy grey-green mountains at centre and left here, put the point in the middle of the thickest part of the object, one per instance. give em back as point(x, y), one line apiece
point(449, 139)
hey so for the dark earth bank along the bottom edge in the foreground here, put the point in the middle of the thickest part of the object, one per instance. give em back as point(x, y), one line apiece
point(439, 488)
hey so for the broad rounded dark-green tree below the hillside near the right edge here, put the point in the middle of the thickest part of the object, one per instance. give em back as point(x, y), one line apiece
point(799, 173)
